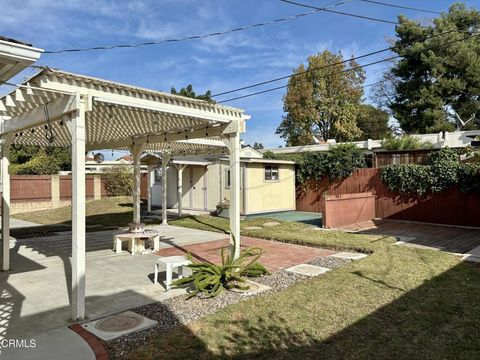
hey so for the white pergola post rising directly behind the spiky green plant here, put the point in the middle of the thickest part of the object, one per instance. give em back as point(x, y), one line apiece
point(233, 143)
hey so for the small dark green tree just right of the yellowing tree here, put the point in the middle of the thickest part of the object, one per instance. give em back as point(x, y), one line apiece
point(373, 123)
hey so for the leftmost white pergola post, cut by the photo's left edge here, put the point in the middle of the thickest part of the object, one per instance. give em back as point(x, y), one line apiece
point(5, 260)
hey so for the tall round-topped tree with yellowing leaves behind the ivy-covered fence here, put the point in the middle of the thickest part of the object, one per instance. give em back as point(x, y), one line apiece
point(322, 100)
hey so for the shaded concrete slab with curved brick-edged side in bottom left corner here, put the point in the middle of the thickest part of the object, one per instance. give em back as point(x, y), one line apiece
point(60, 343)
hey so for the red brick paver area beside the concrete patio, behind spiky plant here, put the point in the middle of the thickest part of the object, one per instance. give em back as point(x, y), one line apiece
point(277, 255)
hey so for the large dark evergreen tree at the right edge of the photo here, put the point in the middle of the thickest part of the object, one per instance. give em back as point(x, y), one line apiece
point(438, 71)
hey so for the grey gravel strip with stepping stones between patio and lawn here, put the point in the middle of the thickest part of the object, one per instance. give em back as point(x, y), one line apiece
point(176, 311)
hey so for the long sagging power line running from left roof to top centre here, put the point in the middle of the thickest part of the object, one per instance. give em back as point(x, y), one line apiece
point(201, 36)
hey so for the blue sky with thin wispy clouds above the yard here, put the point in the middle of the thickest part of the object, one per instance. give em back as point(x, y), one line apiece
point(218, 63)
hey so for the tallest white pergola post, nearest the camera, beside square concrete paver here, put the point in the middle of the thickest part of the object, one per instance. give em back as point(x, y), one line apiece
point(77, 131)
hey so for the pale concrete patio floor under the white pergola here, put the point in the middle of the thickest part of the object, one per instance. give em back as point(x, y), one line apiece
point(35, 293)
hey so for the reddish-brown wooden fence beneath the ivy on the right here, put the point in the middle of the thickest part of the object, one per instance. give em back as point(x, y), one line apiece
point(450, 207)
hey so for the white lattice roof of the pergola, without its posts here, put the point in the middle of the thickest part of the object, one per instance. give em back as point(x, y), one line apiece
point(117, 116)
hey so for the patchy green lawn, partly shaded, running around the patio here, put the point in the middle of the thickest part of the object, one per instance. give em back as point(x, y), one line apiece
point(399, 302)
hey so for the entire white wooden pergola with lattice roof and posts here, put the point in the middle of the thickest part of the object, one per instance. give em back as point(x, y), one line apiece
point(62, 109)
